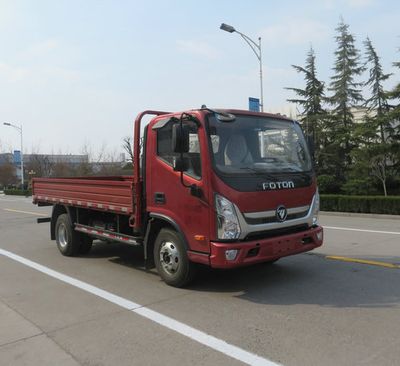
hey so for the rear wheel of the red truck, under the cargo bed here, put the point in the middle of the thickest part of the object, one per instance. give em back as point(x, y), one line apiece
point(68, 240)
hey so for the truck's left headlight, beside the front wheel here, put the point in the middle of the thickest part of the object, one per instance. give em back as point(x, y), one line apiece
point(227, 220)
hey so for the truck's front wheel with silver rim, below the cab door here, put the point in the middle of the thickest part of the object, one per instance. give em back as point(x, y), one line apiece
point(171, 259)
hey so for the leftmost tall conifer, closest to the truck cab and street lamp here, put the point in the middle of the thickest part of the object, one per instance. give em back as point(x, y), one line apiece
point(311, 98)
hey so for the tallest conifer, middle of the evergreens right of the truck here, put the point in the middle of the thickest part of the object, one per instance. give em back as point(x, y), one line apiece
point(346, 94)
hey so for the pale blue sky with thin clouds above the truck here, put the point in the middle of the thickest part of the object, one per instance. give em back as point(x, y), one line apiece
point(76, 73)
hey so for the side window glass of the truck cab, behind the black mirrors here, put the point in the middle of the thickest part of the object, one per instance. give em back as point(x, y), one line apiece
point(164, 147)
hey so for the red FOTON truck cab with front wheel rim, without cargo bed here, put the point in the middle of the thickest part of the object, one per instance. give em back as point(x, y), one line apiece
point(237, 187)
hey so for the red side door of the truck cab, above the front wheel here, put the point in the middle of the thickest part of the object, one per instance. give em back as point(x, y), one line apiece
point(166, 195)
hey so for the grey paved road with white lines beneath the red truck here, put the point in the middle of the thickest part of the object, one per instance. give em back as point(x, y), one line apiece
point(303, 310)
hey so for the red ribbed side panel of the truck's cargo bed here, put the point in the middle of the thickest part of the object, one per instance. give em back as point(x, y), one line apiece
point(112, 194)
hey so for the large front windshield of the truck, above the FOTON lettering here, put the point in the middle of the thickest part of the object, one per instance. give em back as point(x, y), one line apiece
point(258, 145)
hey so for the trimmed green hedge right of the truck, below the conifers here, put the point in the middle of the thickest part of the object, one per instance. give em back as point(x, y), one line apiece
point(362, 204)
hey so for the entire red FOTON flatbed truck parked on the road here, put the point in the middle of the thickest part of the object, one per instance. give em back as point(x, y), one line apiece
point(222, 188)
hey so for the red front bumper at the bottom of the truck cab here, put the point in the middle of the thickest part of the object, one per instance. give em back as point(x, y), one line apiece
point(265, 250)
